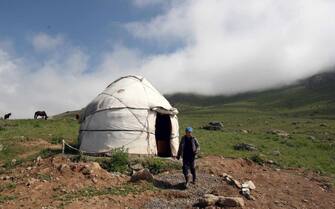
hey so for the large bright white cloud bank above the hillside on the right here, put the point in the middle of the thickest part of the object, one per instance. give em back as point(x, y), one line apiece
point(234, 46)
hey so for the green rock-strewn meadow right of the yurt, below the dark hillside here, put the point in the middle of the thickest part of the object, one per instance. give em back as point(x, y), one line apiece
point(298, 150)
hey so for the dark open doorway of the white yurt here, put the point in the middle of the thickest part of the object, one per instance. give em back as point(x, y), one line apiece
point(163, 135)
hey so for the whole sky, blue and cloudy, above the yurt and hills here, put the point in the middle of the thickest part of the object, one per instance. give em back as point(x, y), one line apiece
point(58, 55)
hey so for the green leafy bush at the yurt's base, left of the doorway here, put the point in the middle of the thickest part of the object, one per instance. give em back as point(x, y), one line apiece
point(118, 162)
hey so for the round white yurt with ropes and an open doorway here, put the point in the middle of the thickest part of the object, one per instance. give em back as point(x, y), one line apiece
point(130, 113)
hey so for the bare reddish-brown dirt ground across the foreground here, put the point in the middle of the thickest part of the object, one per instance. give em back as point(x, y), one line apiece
point(57, 182)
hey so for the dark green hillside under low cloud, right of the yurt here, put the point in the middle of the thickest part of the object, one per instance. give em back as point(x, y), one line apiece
point(314, 96)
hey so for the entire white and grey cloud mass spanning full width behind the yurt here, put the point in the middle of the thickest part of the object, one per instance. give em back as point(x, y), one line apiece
point(225, 47)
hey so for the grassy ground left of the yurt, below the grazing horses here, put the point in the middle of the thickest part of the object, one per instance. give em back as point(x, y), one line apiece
point(15, 133)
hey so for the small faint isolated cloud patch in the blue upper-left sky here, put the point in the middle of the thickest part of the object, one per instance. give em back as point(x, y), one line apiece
point(42, 41)
